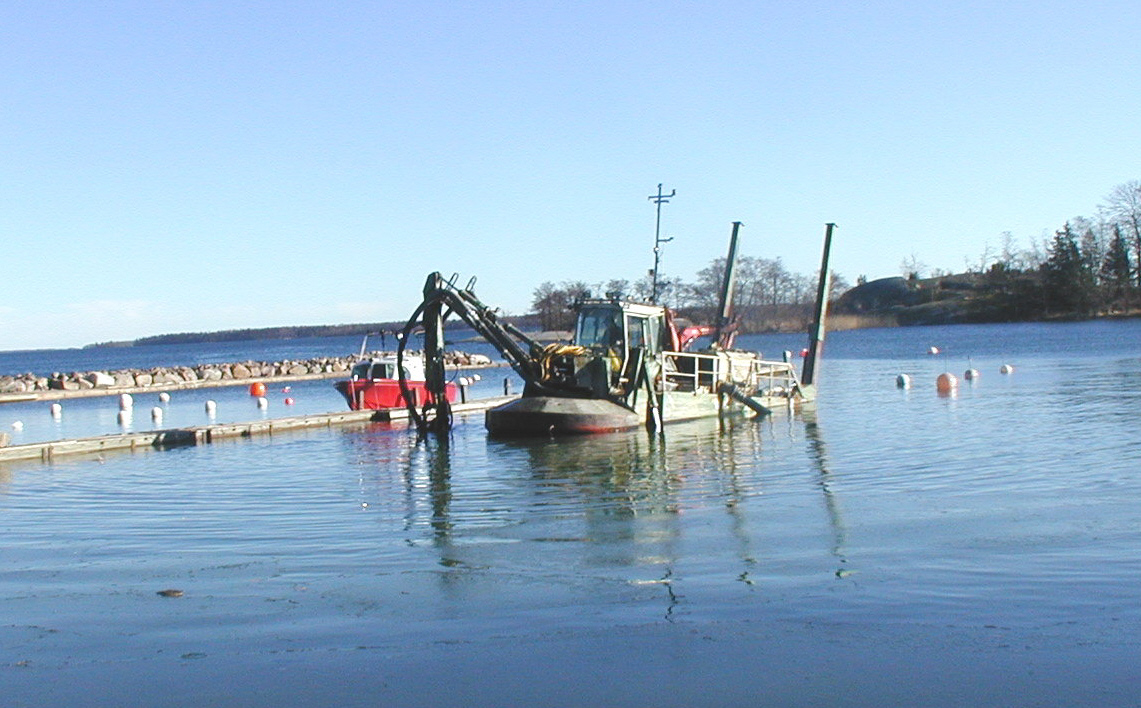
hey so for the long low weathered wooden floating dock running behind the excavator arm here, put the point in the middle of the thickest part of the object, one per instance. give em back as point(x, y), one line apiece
point(205, 435)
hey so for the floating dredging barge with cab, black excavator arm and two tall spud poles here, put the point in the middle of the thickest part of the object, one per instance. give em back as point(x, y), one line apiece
point(628, 367)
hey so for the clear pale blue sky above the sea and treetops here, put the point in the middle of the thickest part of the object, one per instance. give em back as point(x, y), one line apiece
point(185, 167)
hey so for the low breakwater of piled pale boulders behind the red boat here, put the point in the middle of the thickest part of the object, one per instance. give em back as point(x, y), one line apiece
point(158, 379)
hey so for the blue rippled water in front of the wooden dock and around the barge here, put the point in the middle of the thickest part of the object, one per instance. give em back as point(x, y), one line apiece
point(884, 548)
